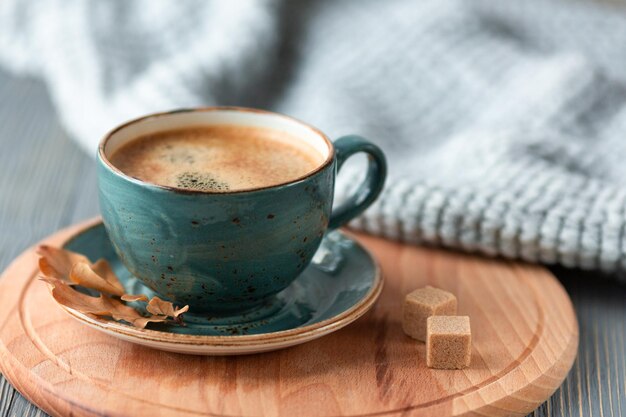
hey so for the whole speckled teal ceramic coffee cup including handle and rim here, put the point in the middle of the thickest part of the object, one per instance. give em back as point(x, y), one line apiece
point(227, 251)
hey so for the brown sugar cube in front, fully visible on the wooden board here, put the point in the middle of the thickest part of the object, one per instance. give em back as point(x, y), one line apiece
point(448, 342)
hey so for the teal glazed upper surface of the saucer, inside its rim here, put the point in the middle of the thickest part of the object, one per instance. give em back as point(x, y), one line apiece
point(340, 276)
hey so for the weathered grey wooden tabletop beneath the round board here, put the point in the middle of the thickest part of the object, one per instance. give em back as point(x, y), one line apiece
point(47, 182)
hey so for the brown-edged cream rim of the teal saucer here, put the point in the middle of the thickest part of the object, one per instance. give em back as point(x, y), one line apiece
point(283, 336)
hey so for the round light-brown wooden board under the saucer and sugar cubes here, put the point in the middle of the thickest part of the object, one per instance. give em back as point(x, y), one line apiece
point(525, 337)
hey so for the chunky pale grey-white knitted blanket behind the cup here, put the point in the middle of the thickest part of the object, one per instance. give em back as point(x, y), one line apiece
point(504, 122)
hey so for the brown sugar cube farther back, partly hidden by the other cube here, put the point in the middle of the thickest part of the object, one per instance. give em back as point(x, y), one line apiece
point(423, 303)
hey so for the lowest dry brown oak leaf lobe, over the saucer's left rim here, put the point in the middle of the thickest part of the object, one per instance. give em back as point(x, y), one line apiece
point(102, 306)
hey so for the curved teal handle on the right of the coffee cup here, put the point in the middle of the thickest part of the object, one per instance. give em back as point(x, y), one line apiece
point(367, 192)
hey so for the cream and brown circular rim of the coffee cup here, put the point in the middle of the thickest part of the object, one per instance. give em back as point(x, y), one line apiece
point(105, 160)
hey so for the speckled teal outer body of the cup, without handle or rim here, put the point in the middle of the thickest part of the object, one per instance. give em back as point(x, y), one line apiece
point(217, 252)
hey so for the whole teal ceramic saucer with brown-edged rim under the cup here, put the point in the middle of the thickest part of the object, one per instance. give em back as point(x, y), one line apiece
point(339, 286)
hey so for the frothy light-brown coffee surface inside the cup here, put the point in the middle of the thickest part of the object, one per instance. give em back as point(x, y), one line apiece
point(217, 158)
